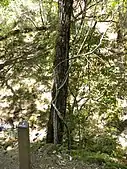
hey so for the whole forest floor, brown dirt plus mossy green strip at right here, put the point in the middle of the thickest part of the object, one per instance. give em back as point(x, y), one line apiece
point(48, 156)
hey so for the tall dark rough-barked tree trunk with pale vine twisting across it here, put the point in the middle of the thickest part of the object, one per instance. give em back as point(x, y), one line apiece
point(61, 66)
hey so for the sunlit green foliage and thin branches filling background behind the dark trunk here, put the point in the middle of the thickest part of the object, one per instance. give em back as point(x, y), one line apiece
point(97, 101)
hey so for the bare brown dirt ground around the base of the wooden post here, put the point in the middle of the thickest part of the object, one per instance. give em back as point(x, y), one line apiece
point(43, 158)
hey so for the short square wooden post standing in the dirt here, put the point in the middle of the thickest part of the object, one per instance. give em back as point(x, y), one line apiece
point(24, 145)
